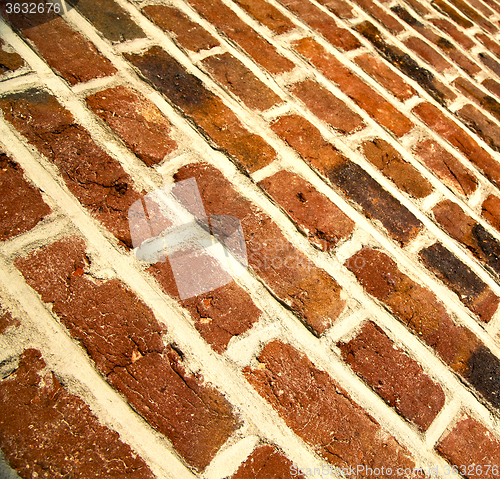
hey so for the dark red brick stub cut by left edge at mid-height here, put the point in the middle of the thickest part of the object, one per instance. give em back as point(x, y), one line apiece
point(21, 205)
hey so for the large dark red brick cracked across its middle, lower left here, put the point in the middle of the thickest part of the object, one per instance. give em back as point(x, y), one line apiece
point(122, 336)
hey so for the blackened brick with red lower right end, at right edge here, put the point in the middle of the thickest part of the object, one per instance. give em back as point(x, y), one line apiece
point(470, 289)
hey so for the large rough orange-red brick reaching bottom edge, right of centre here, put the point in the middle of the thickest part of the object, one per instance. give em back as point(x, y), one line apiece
point(318, 410)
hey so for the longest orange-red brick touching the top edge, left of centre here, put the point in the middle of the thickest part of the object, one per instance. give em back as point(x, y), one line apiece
point(237, 30)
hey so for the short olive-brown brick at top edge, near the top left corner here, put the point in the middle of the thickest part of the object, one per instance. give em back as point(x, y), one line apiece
point(110, 19)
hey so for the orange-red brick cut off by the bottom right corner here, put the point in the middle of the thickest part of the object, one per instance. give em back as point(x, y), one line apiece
point(456, 448)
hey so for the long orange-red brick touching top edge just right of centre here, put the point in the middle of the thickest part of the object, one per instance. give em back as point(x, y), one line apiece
point(324, 24)
